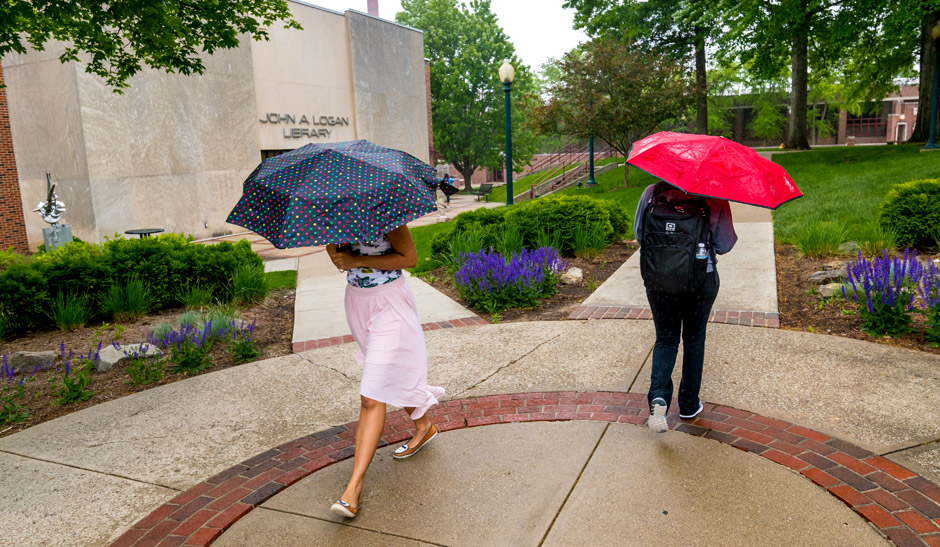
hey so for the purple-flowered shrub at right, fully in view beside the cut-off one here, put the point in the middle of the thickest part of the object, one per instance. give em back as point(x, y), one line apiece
point(887, 286)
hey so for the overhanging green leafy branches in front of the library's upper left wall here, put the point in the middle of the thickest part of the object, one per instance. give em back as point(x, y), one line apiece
point(116, 38)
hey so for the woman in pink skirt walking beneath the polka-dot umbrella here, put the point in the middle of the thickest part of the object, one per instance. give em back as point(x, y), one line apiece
point(380, 310)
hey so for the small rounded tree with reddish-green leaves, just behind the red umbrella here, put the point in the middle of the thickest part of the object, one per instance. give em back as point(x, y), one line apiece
point(616, 93)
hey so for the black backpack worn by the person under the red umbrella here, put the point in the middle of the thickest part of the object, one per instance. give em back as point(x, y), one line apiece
point(672, 232)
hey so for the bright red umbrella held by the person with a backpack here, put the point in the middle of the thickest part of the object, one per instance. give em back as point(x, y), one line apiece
point(714, 167)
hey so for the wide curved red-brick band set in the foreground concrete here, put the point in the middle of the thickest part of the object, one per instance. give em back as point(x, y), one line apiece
point(902, 504)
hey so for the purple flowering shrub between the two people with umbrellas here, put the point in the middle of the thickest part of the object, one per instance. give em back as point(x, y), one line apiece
point(486, 280)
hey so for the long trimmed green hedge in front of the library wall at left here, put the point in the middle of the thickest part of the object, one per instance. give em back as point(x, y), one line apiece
point(165, 263)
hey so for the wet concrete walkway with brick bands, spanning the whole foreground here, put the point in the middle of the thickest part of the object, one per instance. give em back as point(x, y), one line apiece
point(806, 440)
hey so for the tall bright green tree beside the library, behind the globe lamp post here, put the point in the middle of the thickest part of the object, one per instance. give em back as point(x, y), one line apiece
point(466, 46)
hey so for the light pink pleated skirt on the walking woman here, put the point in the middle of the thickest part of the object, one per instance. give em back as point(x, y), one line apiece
point(392, 350)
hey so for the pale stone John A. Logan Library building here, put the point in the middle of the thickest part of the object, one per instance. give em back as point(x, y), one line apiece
point(172, 151)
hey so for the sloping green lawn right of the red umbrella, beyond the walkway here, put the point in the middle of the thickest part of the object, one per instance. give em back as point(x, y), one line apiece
point(847, 184)
